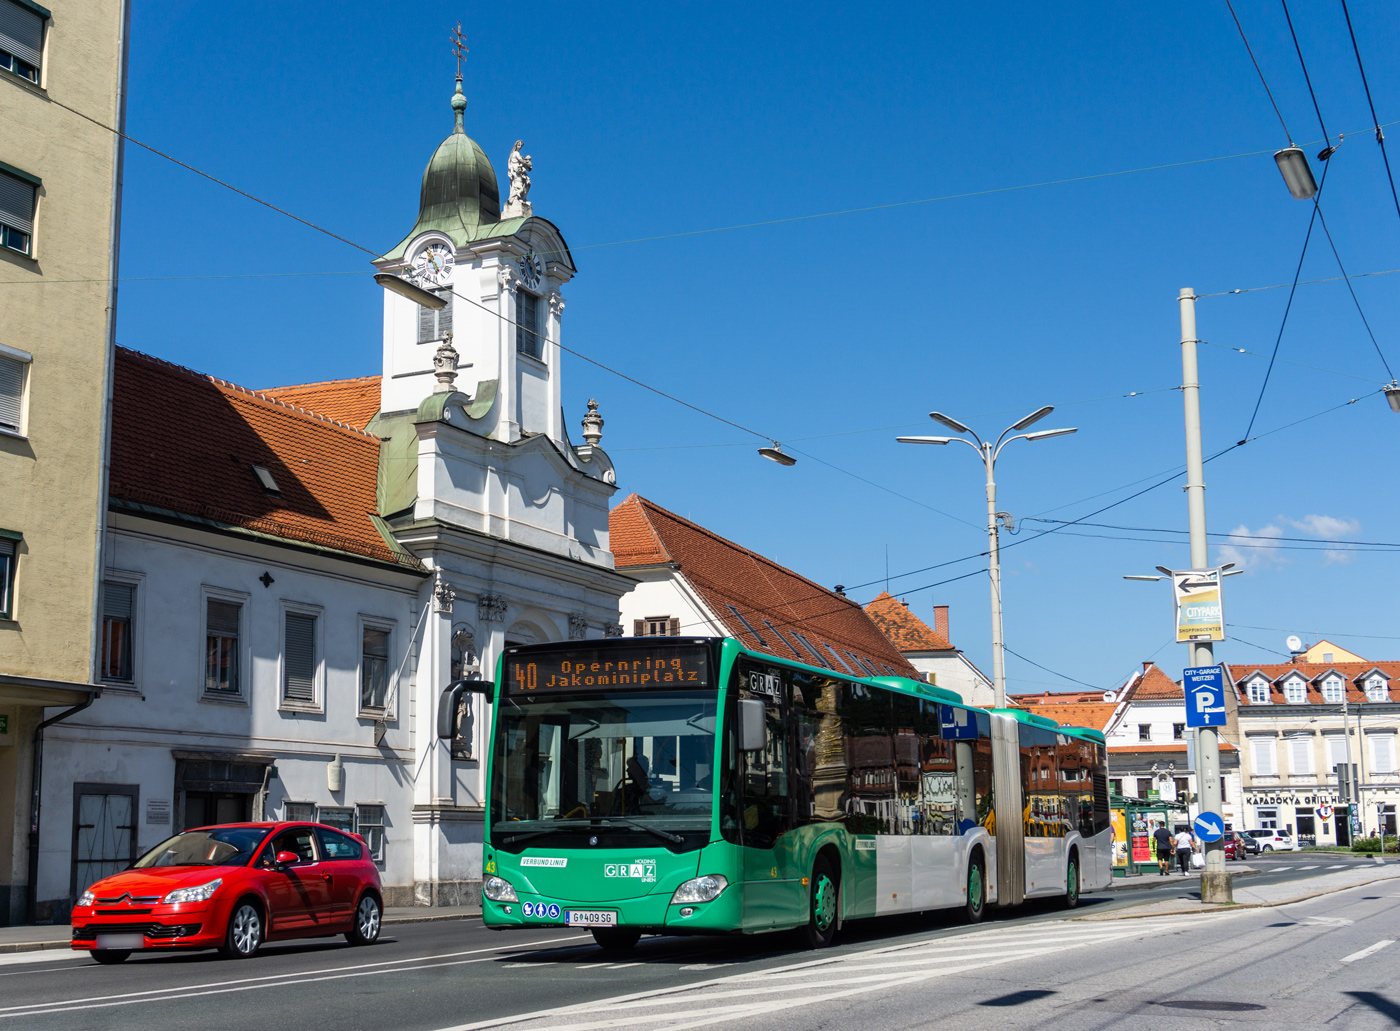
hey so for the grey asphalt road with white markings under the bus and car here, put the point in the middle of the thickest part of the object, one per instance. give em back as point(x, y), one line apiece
point(447, 974)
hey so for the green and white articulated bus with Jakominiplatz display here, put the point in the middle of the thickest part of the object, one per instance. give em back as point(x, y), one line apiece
point(692, 787)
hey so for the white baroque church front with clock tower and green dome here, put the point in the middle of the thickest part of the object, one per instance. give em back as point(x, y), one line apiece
point(478, 477)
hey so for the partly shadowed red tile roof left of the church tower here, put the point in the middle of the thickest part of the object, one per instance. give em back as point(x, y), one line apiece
point(187, 443)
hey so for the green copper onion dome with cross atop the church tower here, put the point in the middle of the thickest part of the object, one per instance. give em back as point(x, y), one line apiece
point(460, 193)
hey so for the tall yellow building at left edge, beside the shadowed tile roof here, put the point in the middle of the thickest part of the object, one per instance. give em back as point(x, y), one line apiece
point(62, 96)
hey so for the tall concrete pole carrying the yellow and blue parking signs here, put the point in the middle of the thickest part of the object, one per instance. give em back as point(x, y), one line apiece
point(1217, 886)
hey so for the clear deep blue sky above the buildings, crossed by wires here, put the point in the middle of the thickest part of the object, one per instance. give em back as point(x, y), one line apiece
point(649, 123)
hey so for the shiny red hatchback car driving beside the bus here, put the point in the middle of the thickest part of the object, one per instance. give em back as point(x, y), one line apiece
point(232, 889)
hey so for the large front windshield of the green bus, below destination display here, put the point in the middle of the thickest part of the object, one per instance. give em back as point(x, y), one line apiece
point(628, 759)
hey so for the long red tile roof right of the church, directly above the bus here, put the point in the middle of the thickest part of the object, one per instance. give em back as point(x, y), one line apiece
point(724, 574)
